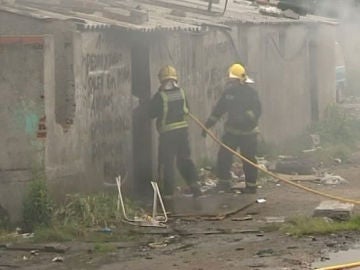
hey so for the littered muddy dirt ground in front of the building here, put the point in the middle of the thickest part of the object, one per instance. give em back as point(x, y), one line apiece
point(236, 242)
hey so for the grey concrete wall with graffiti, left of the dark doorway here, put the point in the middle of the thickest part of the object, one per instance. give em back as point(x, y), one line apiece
point(86, 106)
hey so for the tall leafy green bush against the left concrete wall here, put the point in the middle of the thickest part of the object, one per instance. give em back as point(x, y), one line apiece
point(37, 205)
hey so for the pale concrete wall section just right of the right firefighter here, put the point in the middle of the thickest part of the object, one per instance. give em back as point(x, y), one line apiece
point(278, 60)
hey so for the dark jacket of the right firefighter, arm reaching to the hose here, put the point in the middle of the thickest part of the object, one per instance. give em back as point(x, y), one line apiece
point(243, 108)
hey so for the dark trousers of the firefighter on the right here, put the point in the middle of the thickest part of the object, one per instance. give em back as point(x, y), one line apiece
point(248, 145)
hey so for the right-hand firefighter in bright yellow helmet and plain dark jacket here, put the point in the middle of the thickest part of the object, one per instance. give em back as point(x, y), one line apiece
point(241, 105)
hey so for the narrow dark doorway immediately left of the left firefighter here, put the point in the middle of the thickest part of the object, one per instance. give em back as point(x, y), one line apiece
point(142, 139)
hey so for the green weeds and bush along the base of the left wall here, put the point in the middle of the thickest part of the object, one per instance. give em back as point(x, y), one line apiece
point(93, 218)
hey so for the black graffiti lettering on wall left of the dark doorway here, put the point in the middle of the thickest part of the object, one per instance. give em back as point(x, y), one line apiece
point(107, 80)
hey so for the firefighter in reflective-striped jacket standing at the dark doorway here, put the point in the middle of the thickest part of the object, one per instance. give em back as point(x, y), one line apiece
point(169, 107)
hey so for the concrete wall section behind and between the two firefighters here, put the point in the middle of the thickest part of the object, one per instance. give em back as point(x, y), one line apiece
point(201, 61)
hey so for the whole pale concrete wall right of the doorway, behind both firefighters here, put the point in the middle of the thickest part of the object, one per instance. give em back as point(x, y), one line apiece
point(276, 56)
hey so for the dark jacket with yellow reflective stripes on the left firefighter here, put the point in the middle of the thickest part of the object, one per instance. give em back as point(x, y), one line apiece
point(170, 108)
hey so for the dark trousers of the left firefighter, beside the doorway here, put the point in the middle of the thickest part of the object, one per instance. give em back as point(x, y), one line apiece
point(174, 146)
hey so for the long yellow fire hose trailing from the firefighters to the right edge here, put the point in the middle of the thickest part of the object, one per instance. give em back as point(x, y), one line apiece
point(198, 122)
